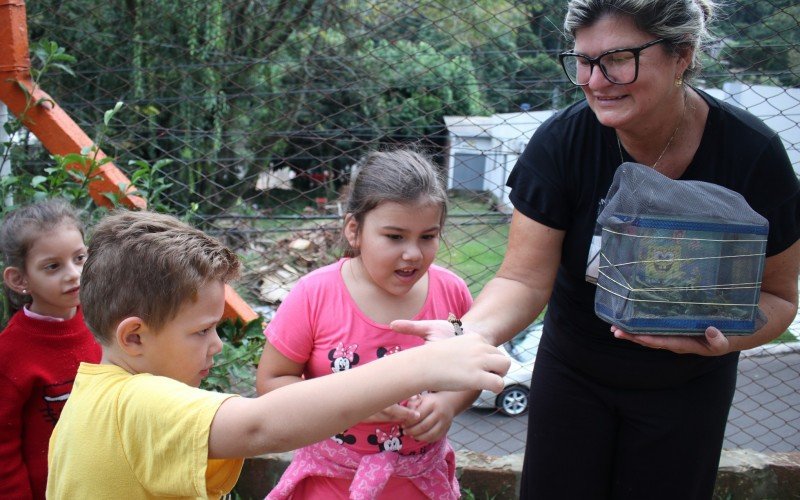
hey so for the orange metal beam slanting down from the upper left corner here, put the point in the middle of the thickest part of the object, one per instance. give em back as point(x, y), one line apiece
point(58, 132)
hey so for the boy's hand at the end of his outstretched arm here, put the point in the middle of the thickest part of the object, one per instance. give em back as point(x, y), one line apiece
point(463, 363)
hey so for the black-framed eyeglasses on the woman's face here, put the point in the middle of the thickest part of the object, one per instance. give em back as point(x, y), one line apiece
point(619, 66)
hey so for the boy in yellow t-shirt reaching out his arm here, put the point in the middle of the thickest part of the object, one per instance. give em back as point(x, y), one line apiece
point(137, 426)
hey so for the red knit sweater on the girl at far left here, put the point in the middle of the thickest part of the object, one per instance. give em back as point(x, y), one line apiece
point(38, 362)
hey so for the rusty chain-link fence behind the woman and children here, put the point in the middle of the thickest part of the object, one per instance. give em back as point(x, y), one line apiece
point(254, 114)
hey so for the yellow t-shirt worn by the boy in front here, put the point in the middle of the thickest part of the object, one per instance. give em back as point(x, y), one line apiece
point(136, 436)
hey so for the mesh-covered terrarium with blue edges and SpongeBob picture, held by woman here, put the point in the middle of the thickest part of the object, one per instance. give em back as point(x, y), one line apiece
point(678, 256)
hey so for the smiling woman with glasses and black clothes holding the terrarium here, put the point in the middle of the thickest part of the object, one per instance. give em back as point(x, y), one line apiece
point(615, 415)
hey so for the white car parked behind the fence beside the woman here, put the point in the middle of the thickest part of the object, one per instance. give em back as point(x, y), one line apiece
point(513, 400)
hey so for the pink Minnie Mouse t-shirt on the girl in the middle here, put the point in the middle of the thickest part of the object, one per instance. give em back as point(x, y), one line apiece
point(319, 325)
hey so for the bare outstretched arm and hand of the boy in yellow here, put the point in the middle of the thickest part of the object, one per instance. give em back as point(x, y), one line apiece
point(300, 414)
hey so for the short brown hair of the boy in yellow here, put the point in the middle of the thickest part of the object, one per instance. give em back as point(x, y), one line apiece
point(147, 265)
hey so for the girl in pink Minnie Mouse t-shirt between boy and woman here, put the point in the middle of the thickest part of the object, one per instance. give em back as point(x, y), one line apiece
point(337, 318)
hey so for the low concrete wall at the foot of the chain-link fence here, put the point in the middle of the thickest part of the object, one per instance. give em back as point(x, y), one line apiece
point(743, 475)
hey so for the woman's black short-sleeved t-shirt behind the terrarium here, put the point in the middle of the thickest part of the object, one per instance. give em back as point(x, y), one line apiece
point(561, 180)
